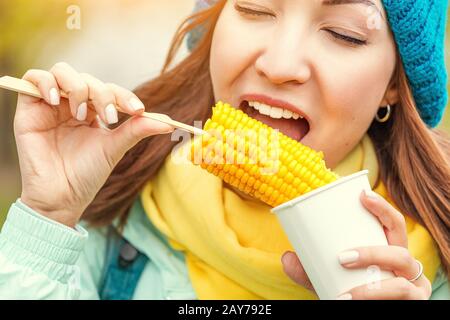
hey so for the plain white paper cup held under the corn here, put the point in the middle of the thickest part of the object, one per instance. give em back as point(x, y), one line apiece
point(326, 222)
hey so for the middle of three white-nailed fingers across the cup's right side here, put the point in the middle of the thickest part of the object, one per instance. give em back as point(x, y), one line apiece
point(392, 258)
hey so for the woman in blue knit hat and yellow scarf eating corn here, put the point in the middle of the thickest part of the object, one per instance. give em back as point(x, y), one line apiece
point(368, 79)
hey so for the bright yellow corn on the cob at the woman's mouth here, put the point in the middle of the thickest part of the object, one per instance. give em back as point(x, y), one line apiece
point(257, 159)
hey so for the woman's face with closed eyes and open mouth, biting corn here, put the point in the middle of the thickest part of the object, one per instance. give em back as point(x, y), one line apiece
point(328, 61)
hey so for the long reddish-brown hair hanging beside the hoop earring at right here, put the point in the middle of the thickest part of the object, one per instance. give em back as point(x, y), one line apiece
point(415, 166)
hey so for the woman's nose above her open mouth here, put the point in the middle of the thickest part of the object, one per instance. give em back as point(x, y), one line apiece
point(285, 59)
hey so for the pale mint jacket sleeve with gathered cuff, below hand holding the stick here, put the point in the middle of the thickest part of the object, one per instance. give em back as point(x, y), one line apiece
point(43, 259)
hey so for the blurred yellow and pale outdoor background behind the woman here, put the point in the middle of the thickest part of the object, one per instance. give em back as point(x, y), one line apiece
point(119, 41)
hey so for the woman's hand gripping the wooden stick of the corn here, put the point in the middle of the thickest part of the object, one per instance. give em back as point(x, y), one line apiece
point(65, 156)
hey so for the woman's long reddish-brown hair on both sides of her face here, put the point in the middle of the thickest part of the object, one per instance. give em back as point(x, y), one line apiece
point(414, 160)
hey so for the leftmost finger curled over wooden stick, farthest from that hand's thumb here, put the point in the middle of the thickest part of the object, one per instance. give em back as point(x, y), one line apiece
point(47, 85)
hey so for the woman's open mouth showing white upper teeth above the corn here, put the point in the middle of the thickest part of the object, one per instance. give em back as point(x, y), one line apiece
point(287, 122)
